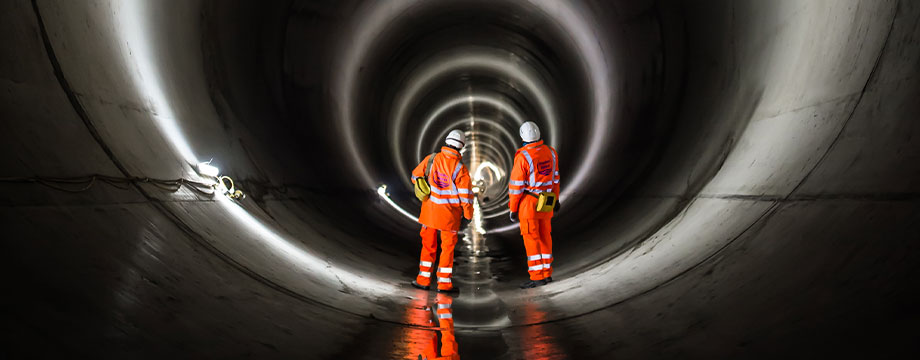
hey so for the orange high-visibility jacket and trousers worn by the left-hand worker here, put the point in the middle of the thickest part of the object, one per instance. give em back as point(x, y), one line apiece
point(451, 195)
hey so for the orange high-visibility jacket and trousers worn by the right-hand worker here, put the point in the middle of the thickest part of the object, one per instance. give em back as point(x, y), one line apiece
point(535, 170)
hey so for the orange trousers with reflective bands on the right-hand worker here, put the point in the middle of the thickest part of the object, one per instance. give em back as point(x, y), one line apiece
point(539, 246)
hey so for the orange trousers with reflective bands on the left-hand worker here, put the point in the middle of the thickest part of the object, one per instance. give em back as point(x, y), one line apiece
point(429, 249)
